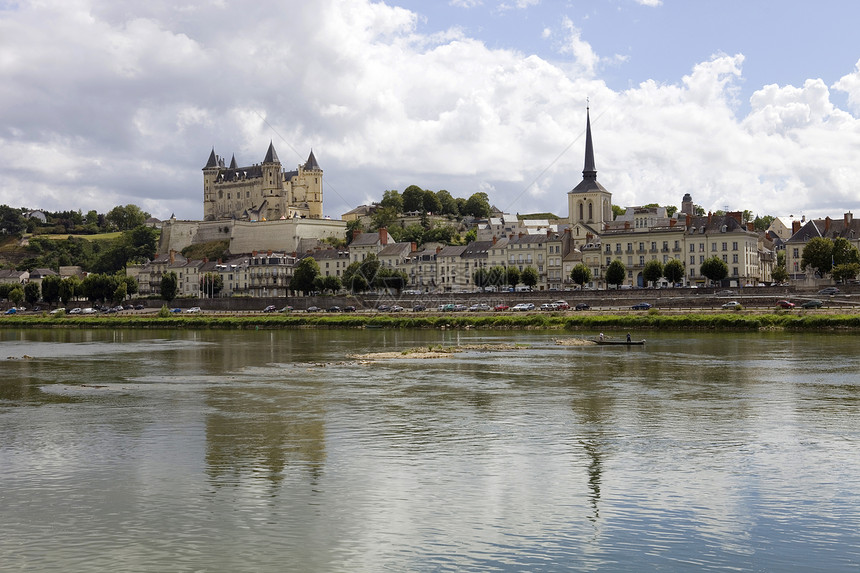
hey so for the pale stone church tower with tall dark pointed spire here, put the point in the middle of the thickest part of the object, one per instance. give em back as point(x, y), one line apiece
point(589, 203)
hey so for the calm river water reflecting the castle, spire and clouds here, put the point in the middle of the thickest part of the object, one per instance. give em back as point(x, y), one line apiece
point(155, 451)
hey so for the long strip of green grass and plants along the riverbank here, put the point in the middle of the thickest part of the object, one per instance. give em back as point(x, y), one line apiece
point(577, 322)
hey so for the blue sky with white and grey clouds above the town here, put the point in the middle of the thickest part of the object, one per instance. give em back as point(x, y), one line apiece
point(744, 105)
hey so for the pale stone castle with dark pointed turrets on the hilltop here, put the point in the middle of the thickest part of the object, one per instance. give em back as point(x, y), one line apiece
point(261, 192)
